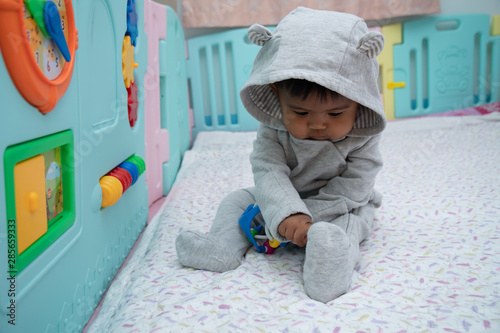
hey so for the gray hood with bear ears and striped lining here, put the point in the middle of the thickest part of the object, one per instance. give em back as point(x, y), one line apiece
point(334, 50)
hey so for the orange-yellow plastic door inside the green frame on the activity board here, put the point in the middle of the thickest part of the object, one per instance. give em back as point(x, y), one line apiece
point(31, 211)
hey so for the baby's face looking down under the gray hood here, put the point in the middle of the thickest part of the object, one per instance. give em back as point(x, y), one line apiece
point(317, 119)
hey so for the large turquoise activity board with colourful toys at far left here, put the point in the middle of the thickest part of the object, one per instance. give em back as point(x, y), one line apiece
point(72, 188)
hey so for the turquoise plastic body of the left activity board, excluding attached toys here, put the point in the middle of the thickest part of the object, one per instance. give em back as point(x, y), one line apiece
point(59, 290)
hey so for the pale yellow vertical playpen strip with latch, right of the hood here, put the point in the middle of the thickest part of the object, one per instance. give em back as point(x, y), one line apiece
point(392, 35)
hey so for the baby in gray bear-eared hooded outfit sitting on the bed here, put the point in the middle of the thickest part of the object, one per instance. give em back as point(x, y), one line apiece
point(313, 88)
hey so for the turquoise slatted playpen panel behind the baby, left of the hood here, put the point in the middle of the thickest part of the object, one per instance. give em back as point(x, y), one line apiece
point(218, 66)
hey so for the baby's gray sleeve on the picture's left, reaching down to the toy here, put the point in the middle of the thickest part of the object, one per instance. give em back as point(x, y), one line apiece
point(274, 192)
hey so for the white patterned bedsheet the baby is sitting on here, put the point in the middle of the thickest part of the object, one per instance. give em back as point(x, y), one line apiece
point(431, 265)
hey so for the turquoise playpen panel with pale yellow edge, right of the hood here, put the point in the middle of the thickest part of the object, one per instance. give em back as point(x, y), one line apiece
point(440, 63)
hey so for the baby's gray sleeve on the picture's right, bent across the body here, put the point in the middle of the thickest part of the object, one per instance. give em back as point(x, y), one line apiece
point(353, 188)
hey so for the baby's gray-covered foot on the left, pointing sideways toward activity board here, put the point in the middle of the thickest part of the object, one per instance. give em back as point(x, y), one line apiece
point(199, 251)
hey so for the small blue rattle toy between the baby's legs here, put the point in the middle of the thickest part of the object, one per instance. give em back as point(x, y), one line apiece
point(252, 234)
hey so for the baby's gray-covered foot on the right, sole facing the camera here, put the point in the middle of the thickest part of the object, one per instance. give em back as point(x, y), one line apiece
point(329, 262)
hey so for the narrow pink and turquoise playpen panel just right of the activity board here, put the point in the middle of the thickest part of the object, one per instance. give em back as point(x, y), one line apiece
point(166, 101)
